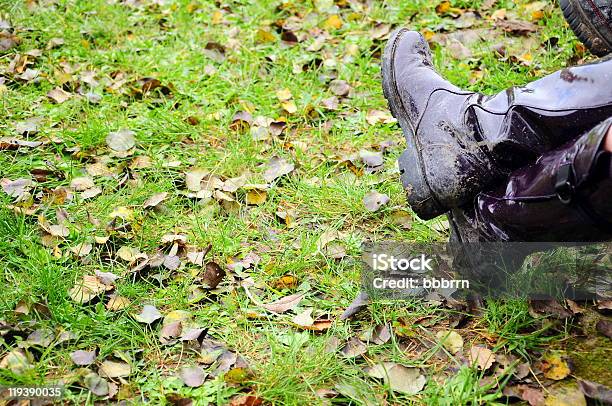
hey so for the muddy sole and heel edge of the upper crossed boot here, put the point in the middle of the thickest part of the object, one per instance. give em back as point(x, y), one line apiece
point(420, 196)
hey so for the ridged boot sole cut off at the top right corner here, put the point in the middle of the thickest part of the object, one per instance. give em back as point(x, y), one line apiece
point(591, 21)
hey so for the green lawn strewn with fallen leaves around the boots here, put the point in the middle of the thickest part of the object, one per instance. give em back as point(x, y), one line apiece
point(183, 206)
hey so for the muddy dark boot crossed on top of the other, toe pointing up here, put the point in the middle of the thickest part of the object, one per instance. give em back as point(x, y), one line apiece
point(460, 142)
